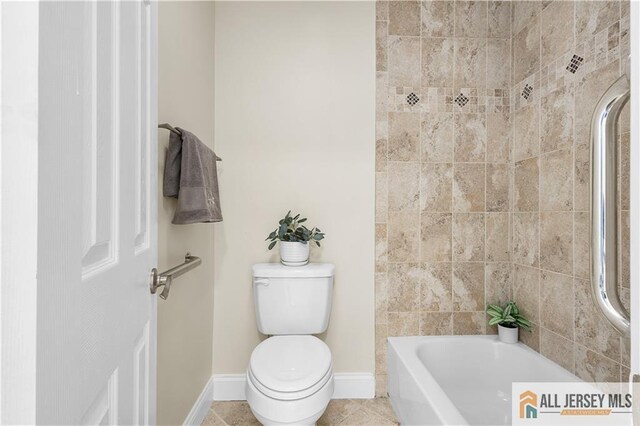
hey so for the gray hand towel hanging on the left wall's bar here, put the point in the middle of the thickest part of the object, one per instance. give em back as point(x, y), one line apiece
point(190, 175)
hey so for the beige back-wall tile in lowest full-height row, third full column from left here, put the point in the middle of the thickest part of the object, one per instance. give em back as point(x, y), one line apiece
point(468, 286)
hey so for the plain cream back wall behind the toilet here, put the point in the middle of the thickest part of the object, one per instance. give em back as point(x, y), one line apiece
point(295, 97)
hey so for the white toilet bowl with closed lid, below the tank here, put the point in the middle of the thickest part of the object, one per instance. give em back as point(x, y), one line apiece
point(289, 380)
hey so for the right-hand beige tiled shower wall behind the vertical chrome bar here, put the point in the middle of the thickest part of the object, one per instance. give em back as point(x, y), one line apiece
point(565, 55)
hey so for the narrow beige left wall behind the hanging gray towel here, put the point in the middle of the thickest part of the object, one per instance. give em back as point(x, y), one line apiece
point(185, 99)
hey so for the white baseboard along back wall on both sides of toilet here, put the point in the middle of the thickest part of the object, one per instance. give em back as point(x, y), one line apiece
point(230, 387)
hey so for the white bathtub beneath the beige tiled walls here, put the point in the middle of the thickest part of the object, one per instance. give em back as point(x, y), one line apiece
point(461, 380)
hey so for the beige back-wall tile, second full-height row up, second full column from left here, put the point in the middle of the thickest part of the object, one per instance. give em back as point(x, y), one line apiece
point(435, 231)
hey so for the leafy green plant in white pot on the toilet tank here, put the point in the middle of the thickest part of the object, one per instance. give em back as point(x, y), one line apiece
point(294, 239)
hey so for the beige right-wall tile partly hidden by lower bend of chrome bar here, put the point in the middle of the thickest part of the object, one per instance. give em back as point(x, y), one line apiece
point(591, 331)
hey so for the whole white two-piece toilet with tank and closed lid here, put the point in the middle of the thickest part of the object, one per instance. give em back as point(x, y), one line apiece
point(290, 375)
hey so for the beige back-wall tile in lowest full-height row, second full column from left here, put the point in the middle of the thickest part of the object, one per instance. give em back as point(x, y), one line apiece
point(435, 290)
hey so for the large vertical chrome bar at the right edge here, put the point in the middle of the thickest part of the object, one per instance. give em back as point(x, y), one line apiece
point(604, 207)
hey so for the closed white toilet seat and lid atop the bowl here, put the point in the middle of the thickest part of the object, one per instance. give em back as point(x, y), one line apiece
point(290, 367)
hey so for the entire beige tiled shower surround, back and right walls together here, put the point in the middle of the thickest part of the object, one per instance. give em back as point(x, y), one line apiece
point(482, 171)
